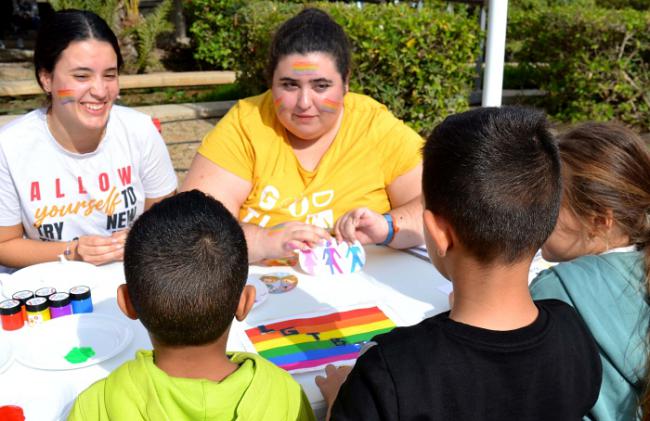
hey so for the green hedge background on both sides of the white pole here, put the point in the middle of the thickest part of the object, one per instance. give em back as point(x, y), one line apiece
point(591, 57)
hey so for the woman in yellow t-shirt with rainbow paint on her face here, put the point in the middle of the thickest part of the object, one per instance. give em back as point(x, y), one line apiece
point(308, 157)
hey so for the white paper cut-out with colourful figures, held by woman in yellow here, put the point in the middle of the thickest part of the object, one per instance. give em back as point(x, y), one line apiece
point(333, 258)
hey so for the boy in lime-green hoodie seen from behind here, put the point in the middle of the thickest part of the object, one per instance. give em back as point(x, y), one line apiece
point(186, 265)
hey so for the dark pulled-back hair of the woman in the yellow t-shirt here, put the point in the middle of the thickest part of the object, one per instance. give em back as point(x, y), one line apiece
point(311, 30)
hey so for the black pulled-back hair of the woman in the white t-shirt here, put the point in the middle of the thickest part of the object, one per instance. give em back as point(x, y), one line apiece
point(67, 26)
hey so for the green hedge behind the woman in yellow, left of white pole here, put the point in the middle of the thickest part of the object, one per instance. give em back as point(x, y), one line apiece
point(417, 62)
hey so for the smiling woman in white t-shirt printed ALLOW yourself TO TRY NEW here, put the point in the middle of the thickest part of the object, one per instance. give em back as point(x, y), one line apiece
point(75, 174)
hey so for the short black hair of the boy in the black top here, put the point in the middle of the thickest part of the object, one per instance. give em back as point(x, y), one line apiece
point(494, 174)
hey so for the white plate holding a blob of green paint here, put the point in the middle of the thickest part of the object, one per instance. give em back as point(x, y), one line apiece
point(45, 346)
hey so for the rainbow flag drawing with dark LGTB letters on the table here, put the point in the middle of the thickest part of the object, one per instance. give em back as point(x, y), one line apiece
point(311, 343)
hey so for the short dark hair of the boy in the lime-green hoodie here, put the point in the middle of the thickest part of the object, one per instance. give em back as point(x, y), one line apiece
point(186, 264)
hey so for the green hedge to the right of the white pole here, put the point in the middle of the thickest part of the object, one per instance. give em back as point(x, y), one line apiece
point(593, 62)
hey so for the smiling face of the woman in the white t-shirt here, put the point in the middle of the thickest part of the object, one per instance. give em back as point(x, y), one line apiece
point(84, 85)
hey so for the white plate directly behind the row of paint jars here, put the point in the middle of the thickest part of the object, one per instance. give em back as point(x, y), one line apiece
point(60, 275)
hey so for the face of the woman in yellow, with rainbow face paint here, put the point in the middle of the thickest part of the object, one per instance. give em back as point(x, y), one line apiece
point(308, 93)
